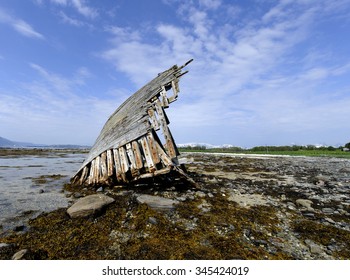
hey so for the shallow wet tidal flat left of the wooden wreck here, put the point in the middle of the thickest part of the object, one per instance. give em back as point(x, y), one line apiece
point(31, 182)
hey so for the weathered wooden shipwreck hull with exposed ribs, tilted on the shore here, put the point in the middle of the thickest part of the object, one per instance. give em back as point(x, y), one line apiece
point(128, 148)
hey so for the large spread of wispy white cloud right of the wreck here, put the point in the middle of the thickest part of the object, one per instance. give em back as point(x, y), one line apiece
point(247, 63)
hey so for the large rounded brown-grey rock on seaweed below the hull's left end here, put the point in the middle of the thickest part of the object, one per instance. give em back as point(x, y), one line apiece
point(89, 205)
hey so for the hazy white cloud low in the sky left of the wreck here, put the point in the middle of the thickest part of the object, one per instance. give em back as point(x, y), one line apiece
point(55, 108)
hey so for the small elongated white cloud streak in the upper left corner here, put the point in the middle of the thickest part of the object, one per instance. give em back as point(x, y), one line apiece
point(19, 25)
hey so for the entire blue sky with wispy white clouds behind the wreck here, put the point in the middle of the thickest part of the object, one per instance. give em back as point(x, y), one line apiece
point(265, 72)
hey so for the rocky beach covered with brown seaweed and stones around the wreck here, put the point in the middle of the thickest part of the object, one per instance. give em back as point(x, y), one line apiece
point(244, 207)
